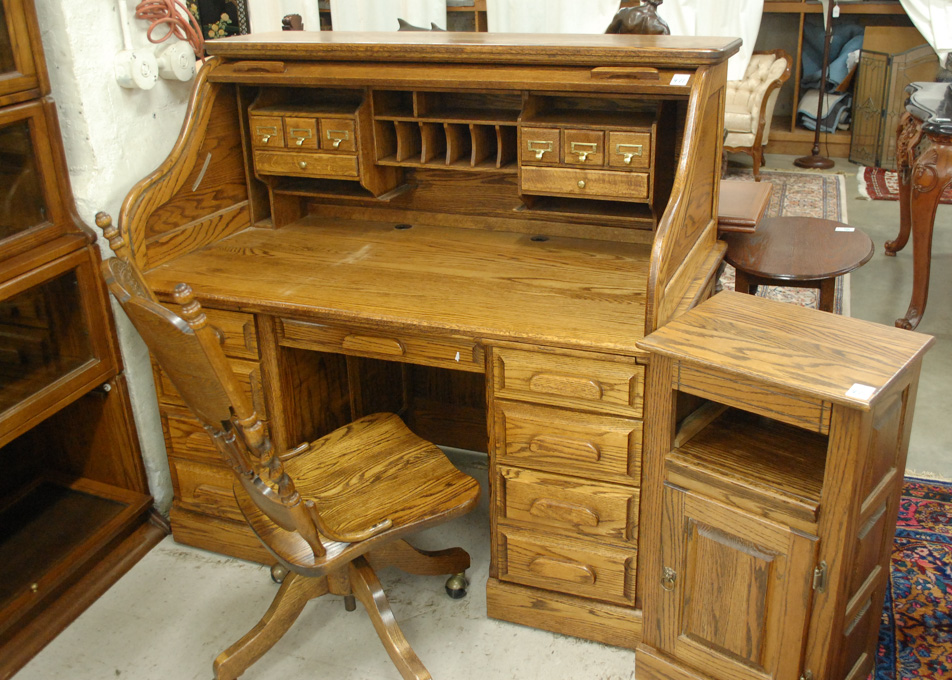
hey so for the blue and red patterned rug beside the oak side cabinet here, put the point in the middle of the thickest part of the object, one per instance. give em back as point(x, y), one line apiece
point(915, 638)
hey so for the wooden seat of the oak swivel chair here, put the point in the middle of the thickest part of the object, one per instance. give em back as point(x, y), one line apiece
point(364, 473)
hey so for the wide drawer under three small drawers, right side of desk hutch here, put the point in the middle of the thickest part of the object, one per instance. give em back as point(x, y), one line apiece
point(626, 186)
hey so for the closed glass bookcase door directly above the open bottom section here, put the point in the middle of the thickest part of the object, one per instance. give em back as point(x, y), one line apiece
point(52, 340)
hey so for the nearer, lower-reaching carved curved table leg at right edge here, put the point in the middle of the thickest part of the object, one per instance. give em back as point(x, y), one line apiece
point(931, 173)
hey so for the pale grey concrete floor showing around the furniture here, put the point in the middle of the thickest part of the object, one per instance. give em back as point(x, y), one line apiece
point(174, 611)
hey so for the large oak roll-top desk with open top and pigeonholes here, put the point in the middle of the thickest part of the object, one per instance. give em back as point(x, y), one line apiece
point(471, 230)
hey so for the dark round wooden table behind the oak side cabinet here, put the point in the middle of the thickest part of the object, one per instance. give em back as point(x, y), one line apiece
point(801, 252)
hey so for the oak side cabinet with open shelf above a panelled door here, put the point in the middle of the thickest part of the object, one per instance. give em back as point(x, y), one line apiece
point(776, 441)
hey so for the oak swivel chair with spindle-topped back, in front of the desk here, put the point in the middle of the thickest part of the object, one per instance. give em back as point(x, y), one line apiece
point(329, 511)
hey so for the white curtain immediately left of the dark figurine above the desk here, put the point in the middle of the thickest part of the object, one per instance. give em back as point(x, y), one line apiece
point(550, 16)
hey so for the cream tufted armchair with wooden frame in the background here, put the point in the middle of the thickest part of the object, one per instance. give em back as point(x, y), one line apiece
point(750, 104)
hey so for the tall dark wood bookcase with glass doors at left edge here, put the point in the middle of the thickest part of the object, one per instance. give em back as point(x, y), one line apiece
point(74, 502)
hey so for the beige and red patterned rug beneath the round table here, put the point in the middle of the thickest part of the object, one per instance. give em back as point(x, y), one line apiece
point(800, 194)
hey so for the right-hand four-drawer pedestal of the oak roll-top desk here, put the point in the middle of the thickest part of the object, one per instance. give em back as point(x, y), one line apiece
point(565, 466)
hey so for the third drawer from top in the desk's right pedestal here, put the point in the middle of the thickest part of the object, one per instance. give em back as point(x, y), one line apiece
point(542, 501)
